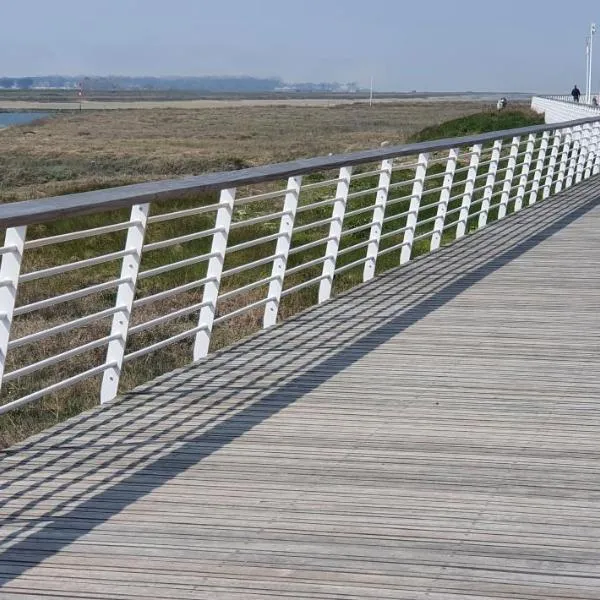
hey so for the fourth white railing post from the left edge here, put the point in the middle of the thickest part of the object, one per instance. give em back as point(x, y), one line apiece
point(286, 228)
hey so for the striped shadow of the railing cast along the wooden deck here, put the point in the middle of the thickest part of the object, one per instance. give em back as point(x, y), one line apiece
point(434, 280)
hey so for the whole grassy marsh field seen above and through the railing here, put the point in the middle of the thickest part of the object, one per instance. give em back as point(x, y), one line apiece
point(73, 152)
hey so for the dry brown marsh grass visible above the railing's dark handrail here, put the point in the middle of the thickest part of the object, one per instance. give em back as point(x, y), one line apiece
point(79, 151)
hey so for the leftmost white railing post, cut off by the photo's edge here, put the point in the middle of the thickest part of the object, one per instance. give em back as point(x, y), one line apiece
point(10, 269)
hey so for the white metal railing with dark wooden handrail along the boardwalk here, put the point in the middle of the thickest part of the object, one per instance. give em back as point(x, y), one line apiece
point(91, 282)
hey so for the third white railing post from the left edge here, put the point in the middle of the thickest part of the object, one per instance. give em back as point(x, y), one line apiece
point(213, 273)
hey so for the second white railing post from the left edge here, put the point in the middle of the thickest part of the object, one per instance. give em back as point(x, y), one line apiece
point(130, 267)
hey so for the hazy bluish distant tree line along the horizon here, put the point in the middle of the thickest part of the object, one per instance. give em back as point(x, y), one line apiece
point(196, 84)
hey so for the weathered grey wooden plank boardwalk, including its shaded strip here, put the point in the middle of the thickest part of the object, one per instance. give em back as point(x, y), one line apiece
point(432, 435)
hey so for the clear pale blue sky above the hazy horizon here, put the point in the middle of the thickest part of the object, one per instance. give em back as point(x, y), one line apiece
point(510, 45)
